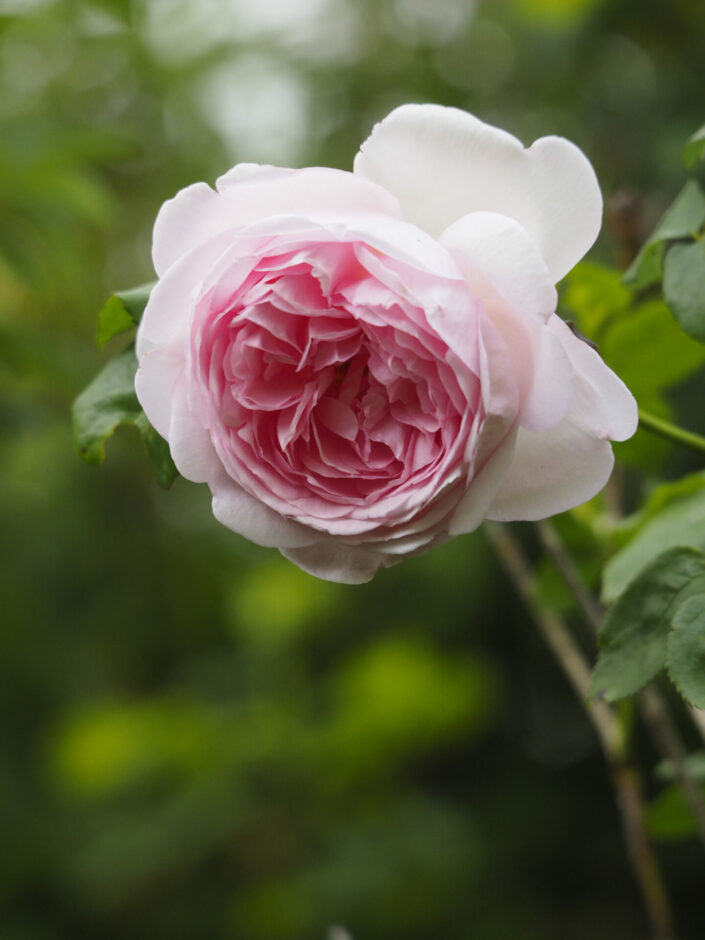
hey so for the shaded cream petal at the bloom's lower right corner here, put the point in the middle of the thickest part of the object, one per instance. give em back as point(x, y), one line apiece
point(552, 471)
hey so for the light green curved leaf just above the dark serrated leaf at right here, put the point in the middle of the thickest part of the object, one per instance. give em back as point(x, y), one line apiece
point(682, 523)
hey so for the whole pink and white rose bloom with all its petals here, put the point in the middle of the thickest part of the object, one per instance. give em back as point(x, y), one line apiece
point(362, 365)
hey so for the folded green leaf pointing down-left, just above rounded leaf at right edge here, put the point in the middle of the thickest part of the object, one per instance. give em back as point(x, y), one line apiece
point(683, 219)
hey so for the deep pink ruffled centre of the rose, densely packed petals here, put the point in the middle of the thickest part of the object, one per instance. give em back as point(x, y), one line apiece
point(328, 392)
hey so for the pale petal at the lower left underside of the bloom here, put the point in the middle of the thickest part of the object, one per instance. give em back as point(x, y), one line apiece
point(241, 512)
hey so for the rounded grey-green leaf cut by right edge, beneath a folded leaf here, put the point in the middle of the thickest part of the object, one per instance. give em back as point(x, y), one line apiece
point(684, 287)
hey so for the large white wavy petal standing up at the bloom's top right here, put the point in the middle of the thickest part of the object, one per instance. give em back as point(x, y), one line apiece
point(443, 163)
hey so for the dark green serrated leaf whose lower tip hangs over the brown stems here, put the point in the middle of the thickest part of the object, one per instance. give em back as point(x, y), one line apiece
point(634, 634)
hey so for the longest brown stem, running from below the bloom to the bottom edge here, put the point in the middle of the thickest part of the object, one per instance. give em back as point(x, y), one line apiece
point(610, 733)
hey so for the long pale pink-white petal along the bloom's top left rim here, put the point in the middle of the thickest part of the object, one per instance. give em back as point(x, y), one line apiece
point(247, 194)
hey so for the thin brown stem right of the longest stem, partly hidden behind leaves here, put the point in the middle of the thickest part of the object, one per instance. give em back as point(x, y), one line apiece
point(654, 710)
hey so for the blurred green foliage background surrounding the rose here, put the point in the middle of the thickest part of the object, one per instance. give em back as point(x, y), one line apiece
point(198, 740)
